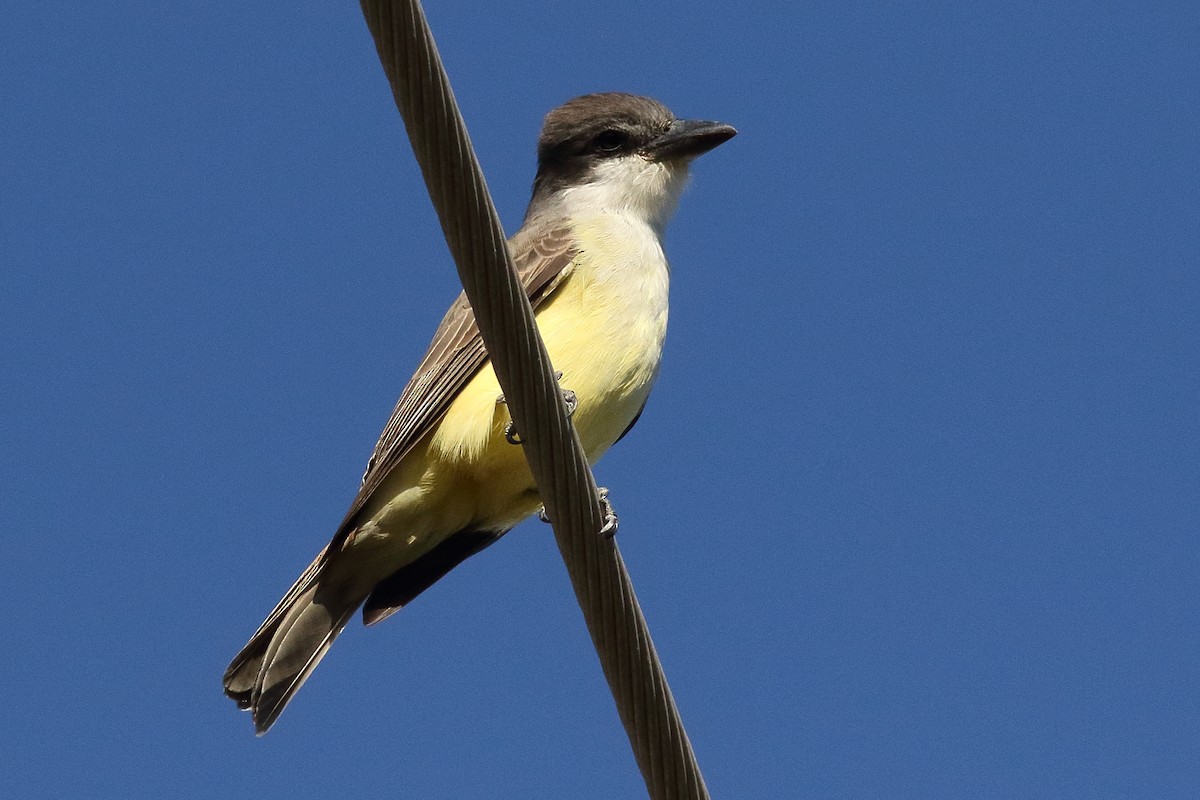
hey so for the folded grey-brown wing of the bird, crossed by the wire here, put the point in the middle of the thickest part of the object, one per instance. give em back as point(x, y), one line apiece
point(455, 356)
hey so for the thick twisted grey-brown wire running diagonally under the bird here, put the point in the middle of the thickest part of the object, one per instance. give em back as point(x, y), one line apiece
point(506, 321)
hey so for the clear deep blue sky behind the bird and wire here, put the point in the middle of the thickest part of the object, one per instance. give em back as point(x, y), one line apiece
point(914, 512)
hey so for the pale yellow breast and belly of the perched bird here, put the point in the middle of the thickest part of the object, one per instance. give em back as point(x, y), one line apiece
point(604, 329)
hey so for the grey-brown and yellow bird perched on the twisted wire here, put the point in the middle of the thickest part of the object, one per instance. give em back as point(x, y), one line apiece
point(445, 480)
